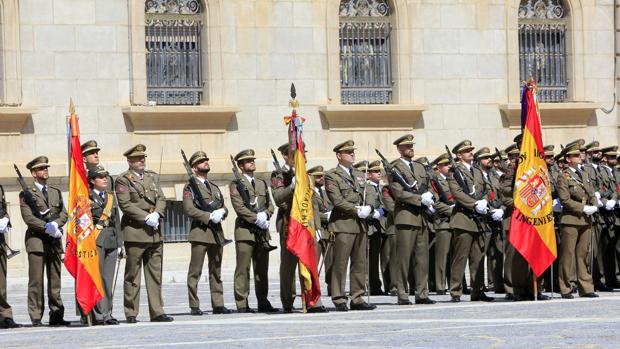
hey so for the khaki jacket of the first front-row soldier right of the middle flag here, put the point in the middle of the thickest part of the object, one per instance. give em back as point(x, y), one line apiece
point(345, 193)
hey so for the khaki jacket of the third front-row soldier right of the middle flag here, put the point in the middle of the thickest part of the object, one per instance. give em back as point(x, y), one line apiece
point(465, 203)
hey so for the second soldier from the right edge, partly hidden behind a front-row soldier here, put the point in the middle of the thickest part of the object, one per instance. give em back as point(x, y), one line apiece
point(600, 237)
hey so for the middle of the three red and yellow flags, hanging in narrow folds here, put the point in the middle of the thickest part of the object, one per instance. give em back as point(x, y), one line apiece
point(301, 229)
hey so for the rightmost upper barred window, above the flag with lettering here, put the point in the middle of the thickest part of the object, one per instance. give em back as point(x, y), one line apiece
point(542, 47)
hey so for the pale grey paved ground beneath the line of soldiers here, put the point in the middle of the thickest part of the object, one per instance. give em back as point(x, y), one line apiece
point(579, 323)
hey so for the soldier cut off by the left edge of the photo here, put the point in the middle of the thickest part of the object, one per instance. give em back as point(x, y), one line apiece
point(6, 313)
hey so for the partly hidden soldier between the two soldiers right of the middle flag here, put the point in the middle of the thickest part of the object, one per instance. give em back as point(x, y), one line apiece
point(376, 226)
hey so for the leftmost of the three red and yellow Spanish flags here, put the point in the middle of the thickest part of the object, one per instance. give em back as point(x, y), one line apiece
point(81, 256)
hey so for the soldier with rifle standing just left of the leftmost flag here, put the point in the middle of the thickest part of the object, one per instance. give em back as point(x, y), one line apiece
point(44, 243)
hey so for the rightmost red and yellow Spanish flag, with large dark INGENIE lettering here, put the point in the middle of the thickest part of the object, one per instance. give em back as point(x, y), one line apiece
point(531, 224)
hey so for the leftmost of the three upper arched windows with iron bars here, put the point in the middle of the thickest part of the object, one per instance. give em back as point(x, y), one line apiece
point(174, 51)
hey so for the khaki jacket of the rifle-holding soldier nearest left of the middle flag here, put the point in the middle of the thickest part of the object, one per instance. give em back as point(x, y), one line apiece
point(246, 217)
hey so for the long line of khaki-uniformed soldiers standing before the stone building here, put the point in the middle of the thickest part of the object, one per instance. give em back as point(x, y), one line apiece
point(416, 233)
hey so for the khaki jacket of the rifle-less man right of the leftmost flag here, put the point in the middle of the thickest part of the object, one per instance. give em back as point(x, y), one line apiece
point(131, 193)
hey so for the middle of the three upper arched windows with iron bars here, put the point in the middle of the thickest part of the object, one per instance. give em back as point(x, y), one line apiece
point(365, 52)
